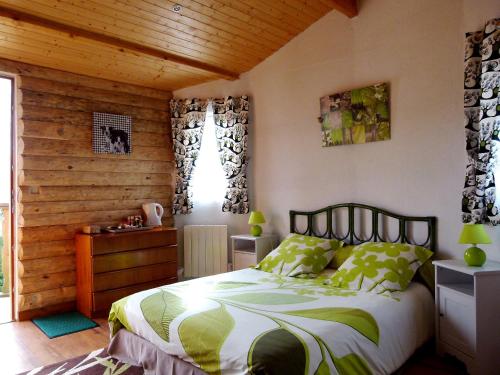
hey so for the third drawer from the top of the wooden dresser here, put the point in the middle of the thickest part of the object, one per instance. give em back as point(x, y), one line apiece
point(131, 276)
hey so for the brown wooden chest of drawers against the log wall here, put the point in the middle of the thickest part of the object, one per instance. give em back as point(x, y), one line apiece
point(112, 266)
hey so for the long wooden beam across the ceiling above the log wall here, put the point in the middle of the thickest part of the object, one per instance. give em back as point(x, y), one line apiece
point(114, 41)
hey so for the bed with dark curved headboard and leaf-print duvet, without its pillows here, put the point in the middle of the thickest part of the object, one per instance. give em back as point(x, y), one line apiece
point(251, 321)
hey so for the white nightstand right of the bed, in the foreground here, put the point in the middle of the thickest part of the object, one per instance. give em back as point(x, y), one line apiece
point(468, 314)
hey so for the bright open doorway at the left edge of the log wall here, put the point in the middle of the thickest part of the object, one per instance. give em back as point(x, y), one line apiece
point(6, 179)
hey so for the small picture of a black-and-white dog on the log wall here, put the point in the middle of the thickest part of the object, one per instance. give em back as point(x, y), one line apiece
point(111, 134)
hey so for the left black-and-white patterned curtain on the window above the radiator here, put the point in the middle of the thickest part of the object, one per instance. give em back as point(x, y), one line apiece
point(187, 119)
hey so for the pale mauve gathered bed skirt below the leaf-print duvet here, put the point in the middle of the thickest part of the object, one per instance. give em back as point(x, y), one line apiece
point(132, 349)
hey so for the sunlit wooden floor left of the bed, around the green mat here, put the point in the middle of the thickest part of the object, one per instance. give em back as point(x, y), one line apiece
point(24, 347)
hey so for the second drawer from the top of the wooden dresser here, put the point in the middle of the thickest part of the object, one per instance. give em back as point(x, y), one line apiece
point(136, 258)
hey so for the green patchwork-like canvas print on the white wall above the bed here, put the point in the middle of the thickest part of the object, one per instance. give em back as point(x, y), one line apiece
point(356, 116)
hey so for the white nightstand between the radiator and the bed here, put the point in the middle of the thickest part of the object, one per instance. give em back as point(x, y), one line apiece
point(249, 250)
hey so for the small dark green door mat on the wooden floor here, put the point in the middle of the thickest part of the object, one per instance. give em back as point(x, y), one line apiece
point(64, 324)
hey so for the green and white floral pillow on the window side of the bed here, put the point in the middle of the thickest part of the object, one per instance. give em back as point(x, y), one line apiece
point(298, 255)
